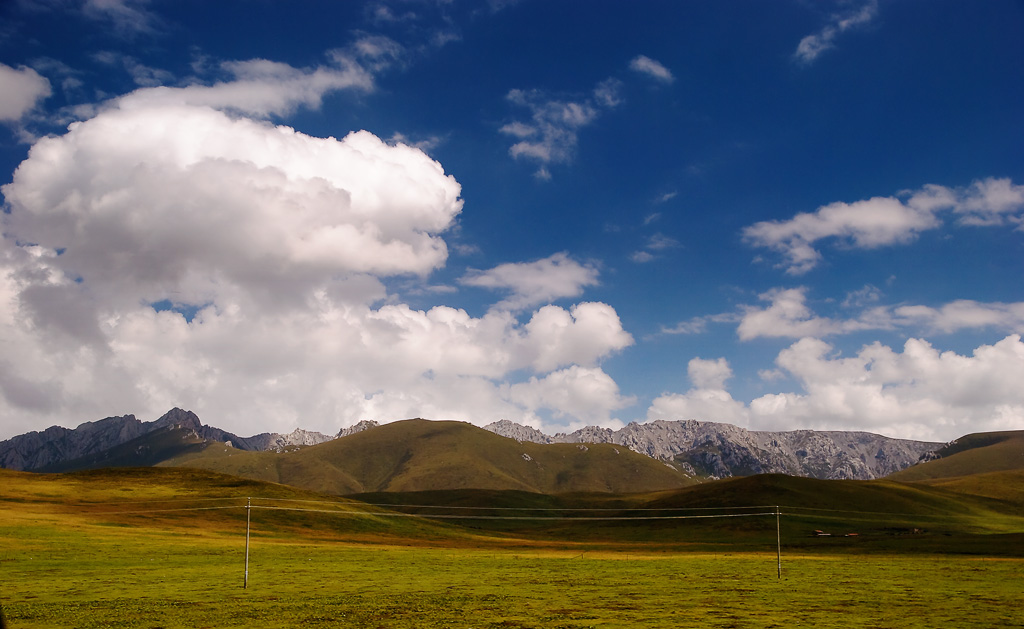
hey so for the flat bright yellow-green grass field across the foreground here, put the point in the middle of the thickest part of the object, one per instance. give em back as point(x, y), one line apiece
point(151, 576)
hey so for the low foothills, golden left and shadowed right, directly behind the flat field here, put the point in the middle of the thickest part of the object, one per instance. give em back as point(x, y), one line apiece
point(880, 512)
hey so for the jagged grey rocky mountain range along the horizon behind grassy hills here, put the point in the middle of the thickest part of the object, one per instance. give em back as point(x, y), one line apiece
point(696, 450)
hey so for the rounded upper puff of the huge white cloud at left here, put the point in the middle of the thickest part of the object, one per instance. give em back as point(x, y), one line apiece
point(182, 203)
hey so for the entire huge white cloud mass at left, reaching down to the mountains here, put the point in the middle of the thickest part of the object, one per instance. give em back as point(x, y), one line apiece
point(165, 254)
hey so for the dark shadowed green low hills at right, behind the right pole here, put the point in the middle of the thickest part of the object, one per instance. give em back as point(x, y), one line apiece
point(885, 517)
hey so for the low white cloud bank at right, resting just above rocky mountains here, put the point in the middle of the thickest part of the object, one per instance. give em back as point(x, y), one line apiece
point(918, 394)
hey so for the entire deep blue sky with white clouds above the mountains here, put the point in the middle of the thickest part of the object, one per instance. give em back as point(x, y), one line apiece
point(781, 216)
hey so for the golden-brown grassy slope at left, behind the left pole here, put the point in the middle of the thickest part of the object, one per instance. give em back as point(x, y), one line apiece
point(188, 500)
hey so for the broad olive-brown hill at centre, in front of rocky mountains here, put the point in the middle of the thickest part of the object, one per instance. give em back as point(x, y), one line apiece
point(420, 455)
